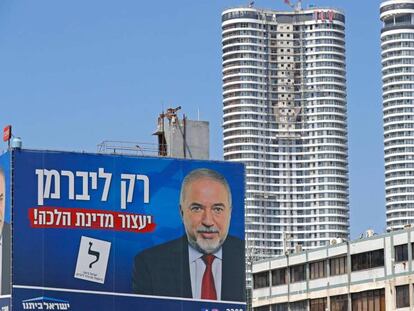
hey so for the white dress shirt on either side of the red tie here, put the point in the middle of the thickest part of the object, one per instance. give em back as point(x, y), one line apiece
point(197, 268)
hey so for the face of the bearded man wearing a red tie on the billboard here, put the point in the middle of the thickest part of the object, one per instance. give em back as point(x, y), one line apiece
point(206, 214)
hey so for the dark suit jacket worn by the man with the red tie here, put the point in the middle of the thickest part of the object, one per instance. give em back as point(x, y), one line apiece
point(164, 270)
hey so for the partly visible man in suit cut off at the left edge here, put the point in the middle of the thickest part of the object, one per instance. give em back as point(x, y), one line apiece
point(4, 240)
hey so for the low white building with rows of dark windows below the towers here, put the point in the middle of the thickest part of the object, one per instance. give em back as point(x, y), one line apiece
point(372, 273)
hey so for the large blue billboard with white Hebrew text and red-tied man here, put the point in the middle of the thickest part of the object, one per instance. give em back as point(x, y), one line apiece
point(111, 232)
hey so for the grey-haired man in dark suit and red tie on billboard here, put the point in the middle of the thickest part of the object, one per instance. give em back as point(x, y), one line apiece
point(206, 262)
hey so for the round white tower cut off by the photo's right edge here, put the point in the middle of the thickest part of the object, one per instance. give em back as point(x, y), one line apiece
point(397, 43)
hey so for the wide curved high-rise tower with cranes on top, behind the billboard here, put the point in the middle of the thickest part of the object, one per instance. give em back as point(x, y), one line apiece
point(285, 117)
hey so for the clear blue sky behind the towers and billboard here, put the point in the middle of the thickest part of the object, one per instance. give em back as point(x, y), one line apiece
point(74, 73)
